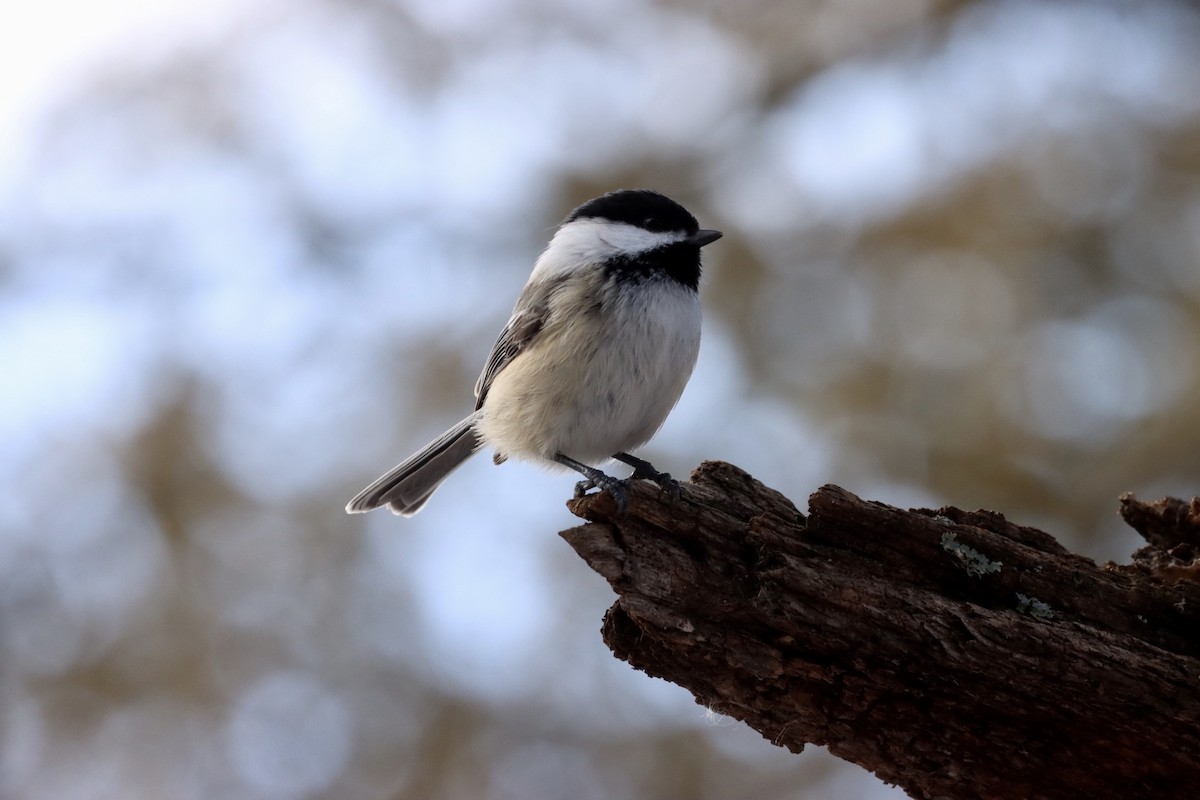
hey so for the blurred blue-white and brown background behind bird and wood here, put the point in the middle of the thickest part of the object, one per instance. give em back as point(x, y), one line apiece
point(254, 254)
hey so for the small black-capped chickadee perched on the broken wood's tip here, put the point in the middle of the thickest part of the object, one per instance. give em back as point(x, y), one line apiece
point(599, 348)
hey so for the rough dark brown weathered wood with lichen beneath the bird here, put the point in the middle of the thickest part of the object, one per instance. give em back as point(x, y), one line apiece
point(952, 653)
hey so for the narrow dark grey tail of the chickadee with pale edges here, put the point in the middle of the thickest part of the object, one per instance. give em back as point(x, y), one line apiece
point(406, 488)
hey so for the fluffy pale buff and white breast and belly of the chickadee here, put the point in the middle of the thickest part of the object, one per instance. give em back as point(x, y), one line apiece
point(602, 376)
